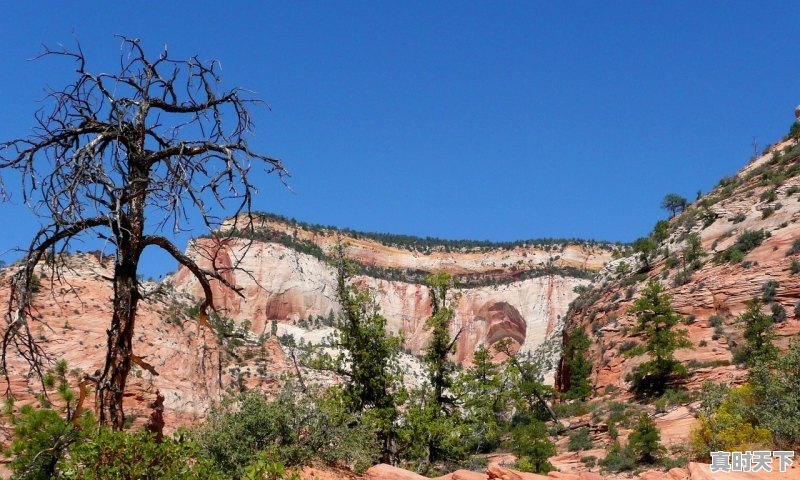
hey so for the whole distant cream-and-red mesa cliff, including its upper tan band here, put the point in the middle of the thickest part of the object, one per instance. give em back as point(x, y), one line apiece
point(280, 283)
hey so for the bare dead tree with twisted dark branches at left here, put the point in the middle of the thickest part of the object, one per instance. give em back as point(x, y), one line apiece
point(125, 156)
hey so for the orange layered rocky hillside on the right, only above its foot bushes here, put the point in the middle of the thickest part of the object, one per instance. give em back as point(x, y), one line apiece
point(763, 196)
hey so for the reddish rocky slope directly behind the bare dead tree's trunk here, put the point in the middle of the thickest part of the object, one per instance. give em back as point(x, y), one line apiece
point(73, 317)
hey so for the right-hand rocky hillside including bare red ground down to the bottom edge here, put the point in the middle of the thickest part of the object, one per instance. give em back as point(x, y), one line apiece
point(761, 202)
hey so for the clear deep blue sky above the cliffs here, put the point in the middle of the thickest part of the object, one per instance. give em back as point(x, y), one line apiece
point(484, 120)
